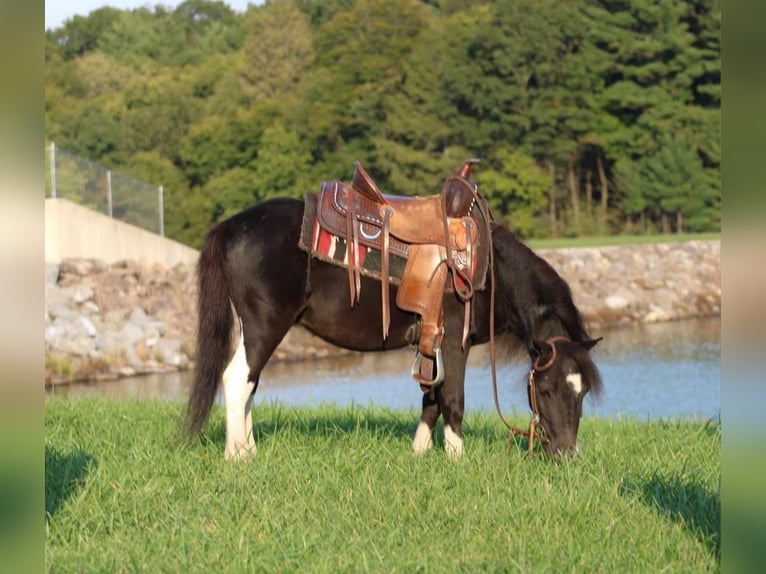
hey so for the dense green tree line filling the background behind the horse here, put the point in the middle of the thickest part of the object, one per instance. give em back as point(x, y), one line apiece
point(589, 116)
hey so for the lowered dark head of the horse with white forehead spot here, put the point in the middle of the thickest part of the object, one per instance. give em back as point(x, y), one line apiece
point(562, 374)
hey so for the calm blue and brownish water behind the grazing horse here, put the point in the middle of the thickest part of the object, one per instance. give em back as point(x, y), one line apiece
point(649, 372)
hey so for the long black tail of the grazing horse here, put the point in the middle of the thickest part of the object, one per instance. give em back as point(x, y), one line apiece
point(214, 324)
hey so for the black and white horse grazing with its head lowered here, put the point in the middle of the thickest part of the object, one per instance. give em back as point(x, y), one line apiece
point(255, 283)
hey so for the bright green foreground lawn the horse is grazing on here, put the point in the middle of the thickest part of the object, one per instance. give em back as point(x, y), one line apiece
point(338, 490)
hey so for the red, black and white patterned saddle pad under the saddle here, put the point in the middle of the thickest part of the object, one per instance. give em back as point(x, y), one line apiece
point(330, 248)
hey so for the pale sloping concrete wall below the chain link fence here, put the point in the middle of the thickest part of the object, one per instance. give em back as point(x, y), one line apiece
point(75, 231)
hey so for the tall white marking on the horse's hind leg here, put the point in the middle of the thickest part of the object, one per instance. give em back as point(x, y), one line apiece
point(236, 395)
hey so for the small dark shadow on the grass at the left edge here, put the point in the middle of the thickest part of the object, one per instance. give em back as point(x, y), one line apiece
point(64, 475)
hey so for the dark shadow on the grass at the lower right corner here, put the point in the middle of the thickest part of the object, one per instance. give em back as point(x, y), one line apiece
point(684, 501)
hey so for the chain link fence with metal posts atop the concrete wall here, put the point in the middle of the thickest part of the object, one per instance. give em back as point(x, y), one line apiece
point(121, 197)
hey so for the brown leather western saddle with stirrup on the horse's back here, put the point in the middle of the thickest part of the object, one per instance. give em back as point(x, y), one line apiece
point(440, 236)
